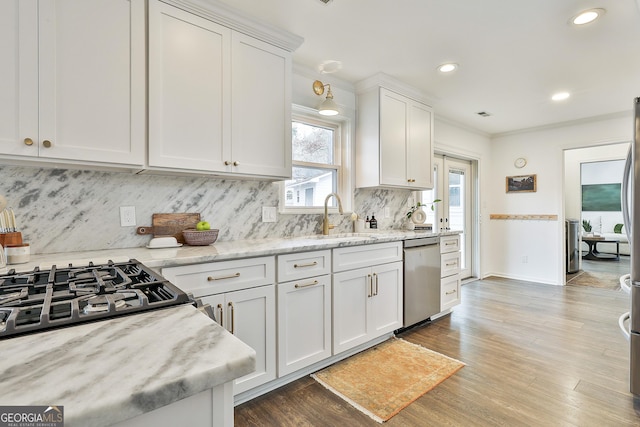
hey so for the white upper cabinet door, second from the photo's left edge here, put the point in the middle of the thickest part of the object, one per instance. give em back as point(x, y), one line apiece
point(92, 81)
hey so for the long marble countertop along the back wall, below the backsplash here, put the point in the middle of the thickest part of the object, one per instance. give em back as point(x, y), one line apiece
point(170, 257)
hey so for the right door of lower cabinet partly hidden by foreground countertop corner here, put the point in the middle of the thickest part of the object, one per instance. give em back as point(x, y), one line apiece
point(252, 318)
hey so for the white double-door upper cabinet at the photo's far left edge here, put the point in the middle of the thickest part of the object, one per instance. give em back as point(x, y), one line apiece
point(72, 84)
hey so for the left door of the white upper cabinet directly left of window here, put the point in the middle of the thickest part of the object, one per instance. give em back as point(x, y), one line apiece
point(189, 97)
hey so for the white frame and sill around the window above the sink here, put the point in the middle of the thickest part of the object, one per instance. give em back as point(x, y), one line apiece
point(342, 156)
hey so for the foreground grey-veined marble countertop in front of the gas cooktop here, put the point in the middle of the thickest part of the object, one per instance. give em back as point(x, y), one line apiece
point(108, 371)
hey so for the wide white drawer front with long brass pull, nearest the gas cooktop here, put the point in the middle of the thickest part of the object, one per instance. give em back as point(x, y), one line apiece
point(224, 276)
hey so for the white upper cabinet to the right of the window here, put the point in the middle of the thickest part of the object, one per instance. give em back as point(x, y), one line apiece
point(394, 140)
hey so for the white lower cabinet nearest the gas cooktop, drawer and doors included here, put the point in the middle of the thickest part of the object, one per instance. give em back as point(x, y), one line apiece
point(242, 294)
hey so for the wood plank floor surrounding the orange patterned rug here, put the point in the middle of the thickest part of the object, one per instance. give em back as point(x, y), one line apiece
point(536, 355)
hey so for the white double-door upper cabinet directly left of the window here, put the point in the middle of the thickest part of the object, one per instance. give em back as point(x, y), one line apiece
point(219, 99)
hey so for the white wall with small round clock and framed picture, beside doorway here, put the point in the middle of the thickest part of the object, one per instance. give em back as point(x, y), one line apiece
point(534, 250)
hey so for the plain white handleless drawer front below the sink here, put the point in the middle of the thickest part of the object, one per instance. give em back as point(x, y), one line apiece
point(352, 257)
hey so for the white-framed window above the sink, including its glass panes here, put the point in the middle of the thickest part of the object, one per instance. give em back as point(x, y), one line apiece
point(317, 167)
